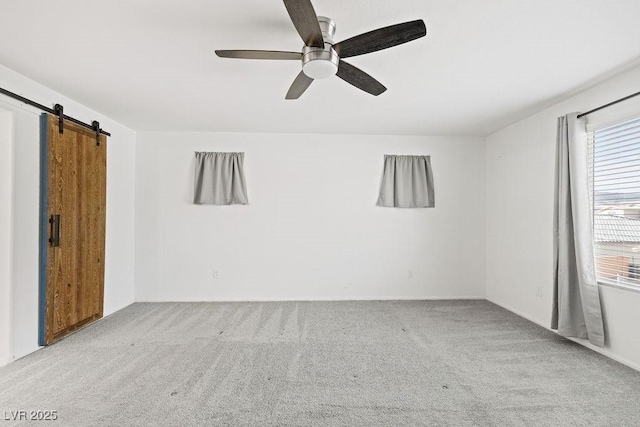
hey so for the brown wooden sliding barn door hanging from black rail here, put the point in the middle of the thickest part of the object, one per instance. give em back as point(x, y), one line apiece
point(73, 202)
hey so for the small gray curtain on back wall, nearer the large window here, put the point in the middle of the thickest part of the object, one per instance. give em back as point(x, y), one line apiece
point(407, 182)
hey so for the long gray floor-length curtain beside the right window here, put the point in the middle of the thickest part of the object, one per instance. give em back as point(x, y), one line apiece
point(576, 301)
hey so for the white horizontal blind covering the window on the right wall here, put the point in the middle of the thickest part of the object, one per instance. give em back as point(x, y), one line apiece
point(614, 166)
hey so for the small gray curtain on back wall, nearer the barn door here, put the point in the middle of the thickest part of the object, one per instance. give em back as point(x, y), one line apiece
point(219, 179)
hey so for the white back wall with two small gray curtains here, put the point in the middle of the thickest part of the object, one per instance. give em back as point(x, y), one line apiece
point(312, 230)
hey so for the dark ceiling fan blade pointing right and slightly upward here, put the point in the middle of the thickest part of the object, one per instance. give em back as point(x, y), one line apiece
point(381, 38)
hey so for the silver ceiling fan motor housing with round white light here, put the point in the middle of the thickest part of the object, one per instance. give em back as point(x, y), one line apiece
point(320, 63)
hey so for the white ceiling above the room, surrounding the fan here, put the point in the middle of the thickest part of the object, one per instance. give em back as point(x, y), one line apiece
point(150, 64)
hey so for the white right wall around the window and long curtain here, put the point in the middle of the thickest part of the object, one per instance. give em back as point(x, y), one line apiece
point(520, 175)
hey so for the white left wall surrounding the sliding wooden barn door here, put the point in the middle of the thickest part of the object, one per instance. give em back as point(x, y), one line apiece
point(119, 262)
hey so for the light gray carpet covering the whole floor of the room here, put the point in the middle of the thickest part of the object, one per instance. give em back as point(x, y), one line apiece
point(390, 363)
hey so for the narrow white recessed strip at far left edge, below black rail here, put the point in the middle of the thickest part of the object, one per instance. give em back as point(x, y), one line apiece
point(6, 239)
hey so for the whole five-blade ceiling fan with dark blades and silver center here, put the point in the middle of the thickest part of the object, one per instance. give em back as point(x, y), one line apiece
point(322, 58)
